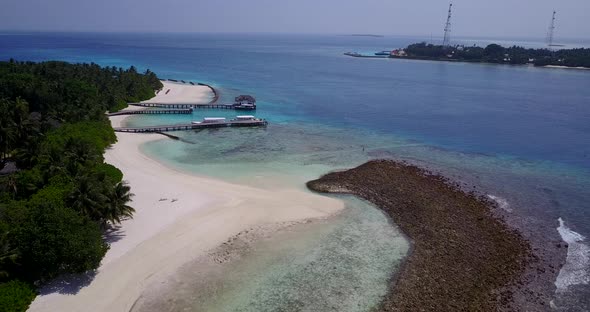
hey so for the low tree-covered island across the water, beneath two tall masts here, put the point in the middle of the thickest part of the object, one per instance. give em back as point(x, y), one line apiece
point(493, 53)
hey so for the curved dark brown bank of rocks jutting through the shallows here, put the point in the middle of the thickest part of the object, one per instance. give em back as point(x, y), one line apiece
point(463, 257)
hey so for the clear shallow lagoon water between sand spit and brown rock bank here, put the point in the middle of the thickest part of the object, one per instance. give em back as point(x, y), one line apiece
point(342, 264)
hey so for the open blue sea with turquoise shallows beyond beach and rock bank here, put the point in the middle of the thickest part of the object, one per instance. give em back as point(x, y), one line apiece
point(520, 133)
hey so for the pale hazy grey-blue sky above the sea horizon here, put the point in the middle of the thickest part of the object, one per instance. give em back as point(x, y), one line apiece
point(419, 18)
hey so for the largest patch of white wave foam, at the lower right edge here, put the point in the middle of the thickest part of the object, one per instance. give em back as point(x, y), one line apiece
point(576, 269)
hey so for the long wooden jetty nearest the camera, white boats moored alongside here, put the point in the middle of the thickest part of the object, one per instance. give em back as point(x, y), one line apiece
point(196, 126)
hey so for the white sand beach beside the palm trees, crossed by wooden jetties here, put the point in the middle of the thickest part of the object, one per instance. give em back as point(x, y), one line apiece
point(179, 217)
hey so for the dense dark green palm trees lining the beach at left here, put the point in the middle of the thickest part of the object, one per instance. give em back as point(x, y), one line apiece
point(58, 197)
